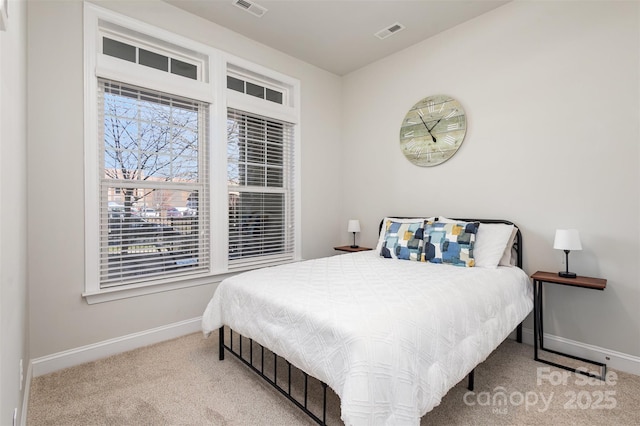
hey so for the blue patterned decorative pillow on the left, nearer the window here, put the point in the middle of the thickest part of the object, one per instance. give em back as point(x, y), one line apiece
point(403, 240)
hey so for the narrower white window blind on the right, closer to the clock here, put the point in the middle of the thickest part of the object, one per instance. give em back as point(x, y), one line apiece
point(260, 181)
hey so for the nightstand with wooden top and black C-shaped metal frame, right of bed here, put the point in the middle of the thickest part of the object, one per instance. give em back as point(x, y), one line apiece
point(539, 278)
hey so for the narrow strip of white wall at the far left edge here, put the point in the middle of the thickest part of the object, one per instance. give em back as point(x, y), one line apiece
point(13, 206)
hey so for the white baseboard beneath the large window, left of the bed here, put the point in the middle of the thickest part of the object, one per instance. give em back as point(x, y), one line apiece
point(58, 361)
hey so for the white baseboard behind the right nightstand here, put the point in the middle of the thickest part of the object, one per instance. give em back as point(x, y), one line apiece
point(616, 360)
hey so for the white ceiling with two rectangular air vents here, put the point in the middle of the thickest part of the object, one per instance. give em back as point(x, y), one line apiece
point(338, 35)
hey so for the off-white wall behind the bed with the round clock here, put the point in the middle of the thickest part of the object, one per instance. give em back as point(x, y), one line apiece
point(551, 92)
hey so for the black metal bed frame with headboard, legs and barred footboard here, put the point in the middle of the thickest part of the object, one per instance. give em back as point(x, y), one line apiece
point(239, 353)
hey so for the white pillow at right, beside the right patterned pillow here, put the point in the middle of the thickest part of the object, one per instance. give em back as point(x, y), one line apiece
point(491, 244)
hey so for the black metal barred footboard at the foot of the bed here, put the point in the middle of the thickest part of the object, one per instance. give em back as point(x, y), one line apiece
point(239, 352)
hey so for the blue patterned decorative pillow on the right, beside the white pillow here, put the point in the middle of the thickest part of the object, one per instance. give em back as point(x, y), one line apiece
point(450, 243)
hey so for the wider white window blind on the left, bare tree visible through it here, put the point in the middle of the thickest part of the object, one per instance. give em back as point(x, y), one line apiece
point(153, 185)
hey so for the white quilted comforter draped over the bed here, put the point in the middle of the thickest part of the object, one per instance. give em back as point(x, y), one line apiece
point(390, 337)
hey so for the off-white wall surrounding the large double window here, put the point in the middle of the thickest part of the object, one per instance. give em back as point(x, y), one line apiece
point(60, 318)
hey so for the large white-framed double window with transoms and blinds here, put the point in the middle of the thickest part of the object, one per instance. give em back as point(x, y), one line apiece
point(160, 213)
